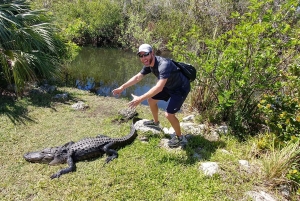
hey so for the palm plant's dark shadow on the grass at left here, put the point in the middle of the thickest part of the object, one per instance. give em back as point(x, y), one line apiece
point(17, 109)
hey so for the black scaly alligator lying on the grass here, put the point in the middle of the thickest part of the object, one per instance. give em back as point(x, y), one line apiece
point(85, 149)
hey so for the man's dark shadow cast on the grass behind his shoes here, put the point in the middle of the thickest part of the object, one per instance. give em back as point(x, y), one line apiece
point(197, 149)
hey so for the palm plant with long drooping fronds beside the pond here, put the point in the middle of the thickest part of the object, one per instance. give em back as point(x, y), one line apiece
point(29, 48)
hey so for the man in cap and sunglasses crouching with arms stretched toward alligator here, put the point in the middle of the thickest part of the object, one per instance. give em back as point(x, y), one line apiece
point(171, 84)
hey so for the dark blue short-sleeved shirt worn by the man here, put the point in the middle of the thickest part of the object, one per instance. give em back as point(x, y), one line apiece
point(165, 69)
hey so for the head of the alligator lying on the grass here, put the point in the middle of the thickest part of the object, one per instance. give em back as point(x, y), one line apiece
point(46, 155)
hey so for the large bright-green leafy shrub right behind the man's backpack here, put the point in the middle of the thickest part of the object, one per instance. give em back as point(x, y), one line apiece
point(243, 63)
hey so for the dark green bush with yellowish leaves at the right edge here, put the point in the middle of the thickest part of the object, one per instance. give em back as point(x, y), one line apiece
point(281, 111)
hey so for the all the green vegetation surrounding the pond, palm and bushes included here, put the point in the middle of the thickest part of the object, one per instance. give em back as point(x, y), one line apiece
point(246, 53)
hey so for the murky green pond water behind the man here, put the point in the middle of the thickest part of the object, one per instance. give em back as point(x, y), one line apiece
point(103, 69)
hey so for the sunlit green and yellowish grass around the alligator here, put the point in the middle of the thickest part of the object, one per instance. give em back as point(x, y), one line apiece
point(143, 171)
